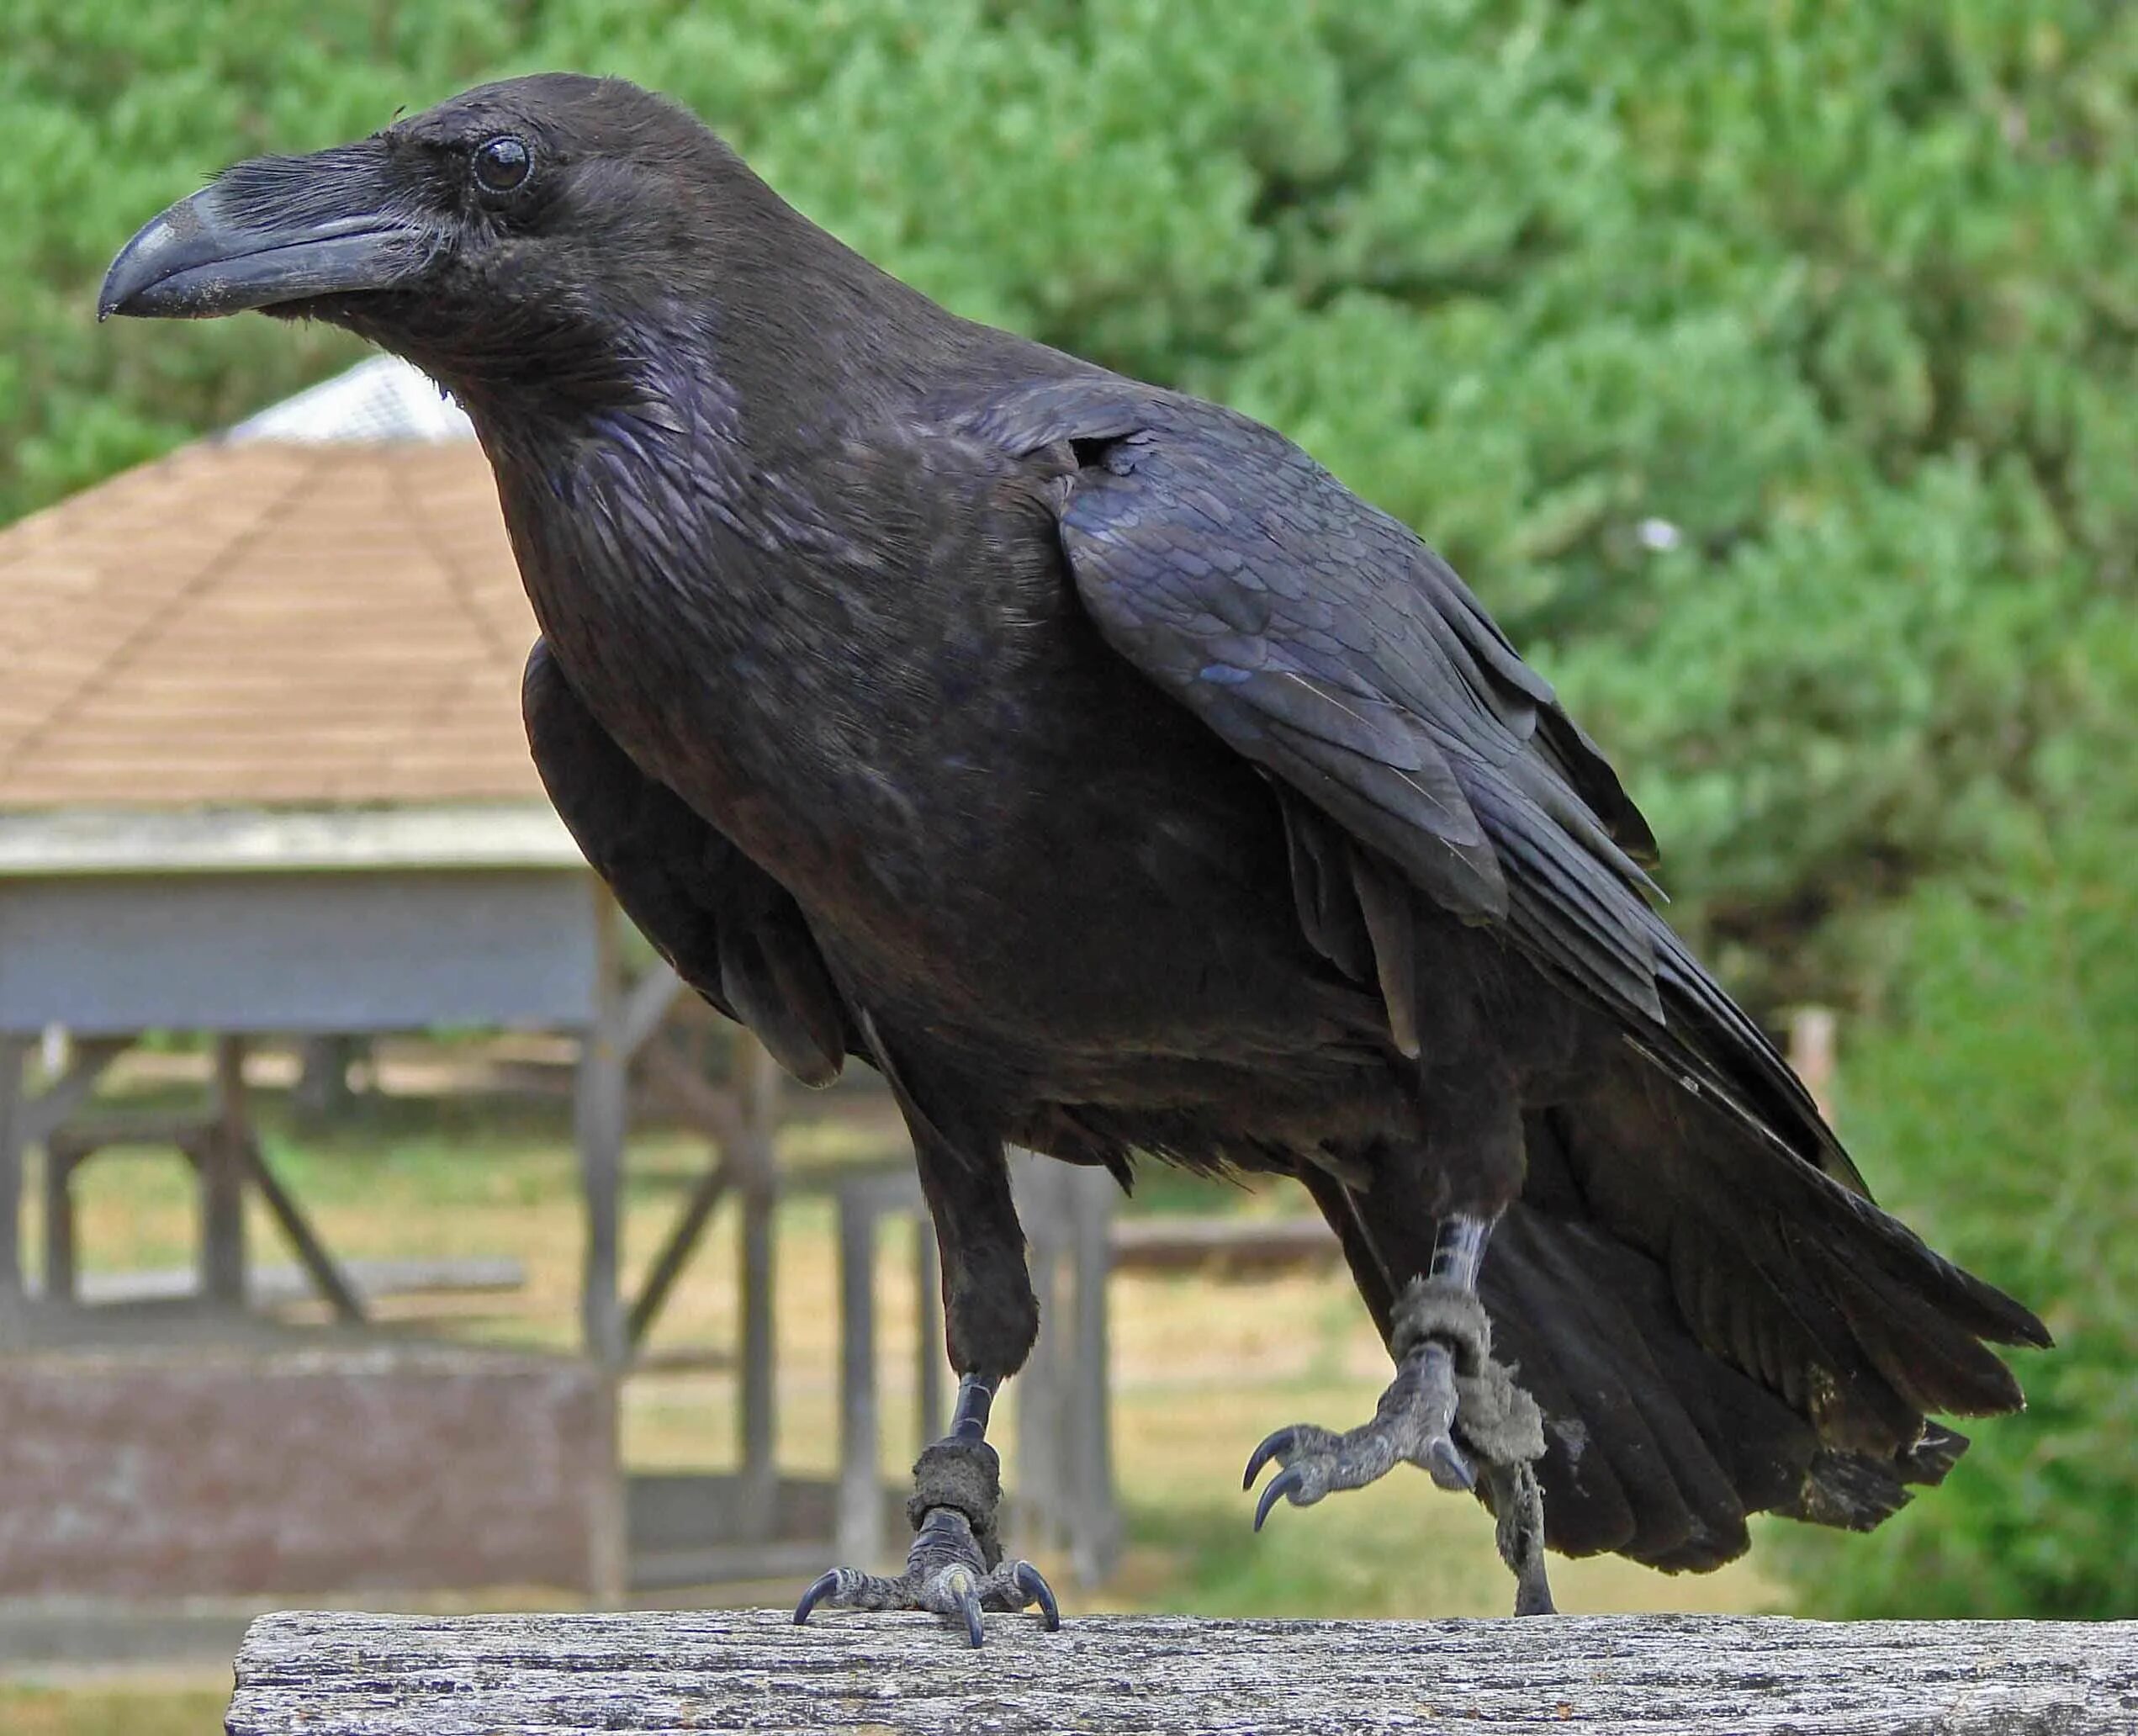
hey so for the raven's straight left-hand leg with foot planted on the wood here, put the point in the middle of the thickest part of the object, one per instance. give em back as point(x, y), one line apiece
point(991, 1318)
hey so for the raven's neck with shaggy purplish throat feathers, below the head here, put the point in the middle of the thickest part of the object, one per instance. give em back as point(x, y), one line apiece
point(685, 536)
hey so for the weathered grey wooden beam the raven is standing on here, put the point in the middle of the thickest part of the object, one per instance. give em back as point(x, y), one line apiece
point(360, 1675)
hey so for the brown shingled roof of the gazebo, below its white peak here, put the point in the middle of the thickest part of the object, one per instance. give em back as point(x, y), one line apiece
point(266, 623)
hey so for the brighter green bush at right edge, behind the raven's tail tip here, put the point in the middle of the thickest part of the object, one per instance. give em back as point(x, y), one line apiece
point(2004, 1111)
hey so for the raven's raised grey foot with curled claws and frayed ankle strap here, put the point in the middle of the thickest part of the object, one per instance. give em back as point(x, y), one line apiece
point(1446, 1408)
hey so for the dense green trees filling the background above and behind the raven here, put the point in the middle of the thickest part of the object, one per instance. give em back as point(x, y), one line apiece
point(1767, 367)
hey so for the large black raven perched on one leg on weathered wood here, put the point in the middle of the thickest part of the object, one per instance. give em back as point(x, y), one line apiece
point(1091, 764)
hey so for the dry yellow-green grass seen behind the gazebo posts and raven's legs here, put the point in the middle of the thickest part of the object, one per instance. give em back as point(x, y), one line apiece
point(1203, 1369)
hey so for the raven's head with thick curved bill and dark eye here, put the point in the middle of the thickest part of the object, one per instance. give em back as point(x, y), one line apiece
point(510, 232)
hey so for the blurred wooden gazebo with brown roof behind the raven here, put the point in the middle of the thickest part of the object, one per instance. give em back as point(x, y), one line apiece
point(262, 771)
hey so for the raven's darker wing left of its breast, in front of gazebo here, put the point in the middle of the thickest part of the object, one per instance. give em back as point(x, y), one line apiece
point(730, 929)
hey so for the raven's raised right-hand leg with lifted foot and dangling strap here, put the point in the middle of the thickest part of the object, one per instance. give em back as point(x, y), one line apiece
point(1451, 1404)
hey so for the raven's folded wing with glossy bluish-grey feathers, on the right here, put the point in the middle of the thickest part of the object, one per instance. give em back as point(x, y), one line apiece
point(1339, 653)
